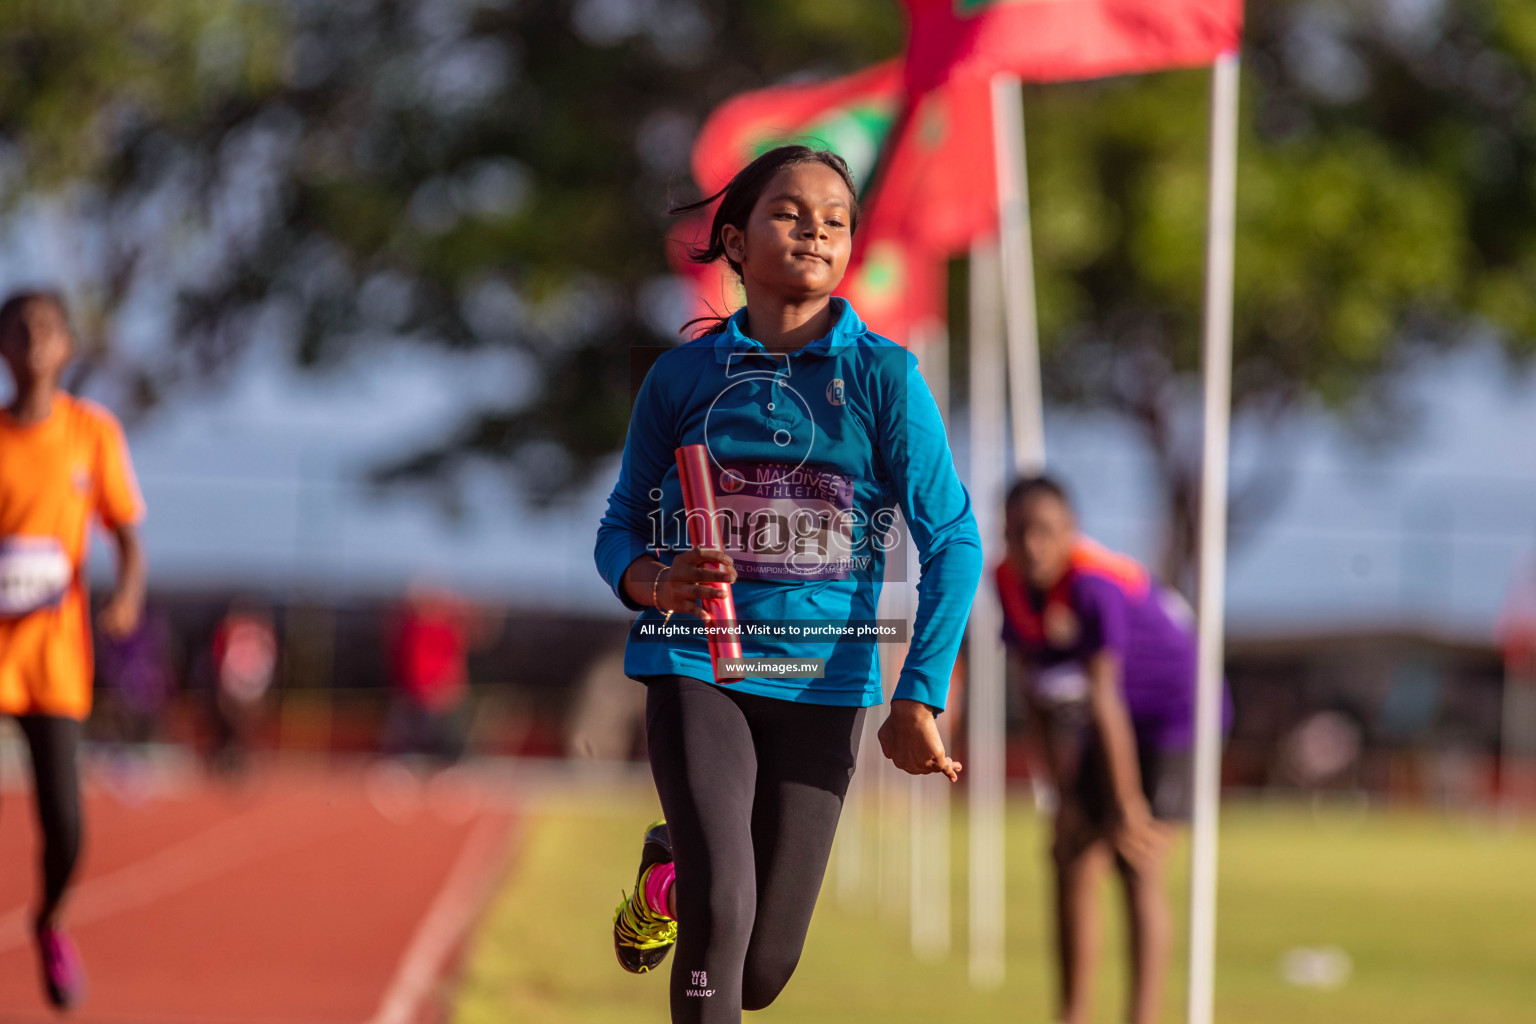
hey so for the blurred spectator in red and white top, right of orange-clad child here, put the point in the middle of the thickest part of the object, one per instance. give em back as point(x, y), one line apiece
point(245, 658)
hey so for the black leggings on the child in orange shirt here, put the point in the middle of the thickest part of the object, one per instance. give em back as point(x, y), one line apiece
point(55, 745)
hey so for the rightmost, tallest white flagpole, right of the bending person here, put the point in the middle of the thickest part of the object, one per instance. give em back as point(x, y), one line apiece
point(1220, 253)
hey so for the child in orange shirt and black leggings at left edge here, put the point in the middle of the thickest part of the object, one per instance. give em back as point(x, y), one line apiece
point(62, 463)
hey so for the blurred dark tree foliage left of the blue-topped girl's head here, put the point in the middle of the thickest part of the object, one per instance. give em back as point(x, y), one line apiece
point(326, 176)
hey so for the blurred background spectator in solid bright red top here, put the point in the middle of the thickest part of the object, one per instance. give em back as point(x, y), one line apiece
point(429, 644)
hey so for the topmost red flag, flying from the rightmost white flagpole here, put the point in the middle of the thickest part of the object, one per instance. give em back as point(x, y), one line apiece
point(1056, 41)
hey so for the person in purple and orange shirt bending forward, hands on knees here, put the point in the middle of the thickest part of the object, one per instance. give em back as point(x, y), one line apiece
point(1110, 661)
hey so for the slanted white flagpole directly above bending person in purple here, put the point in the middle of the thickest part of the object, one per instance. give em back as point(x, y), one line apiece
point(1019, 276)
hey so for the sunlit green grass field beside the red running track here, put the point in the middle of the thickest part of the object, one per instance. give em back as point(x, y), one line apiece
point(1437, 914)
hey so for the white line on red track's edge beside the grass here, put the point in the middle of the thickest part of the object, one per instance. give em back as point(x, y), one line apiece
point(454, 910)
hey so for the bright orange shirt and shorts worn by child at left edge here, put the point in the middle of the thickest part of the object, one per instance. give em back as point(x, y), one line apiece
point(55, 477)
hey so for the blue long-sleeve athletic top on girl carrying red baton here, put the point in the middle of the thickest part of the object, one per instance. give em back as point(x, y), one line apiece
point(813, 454)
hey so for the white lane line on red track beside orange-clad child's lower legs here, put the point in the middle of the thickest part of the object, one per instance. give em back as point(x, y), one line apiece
point(184, 865)
